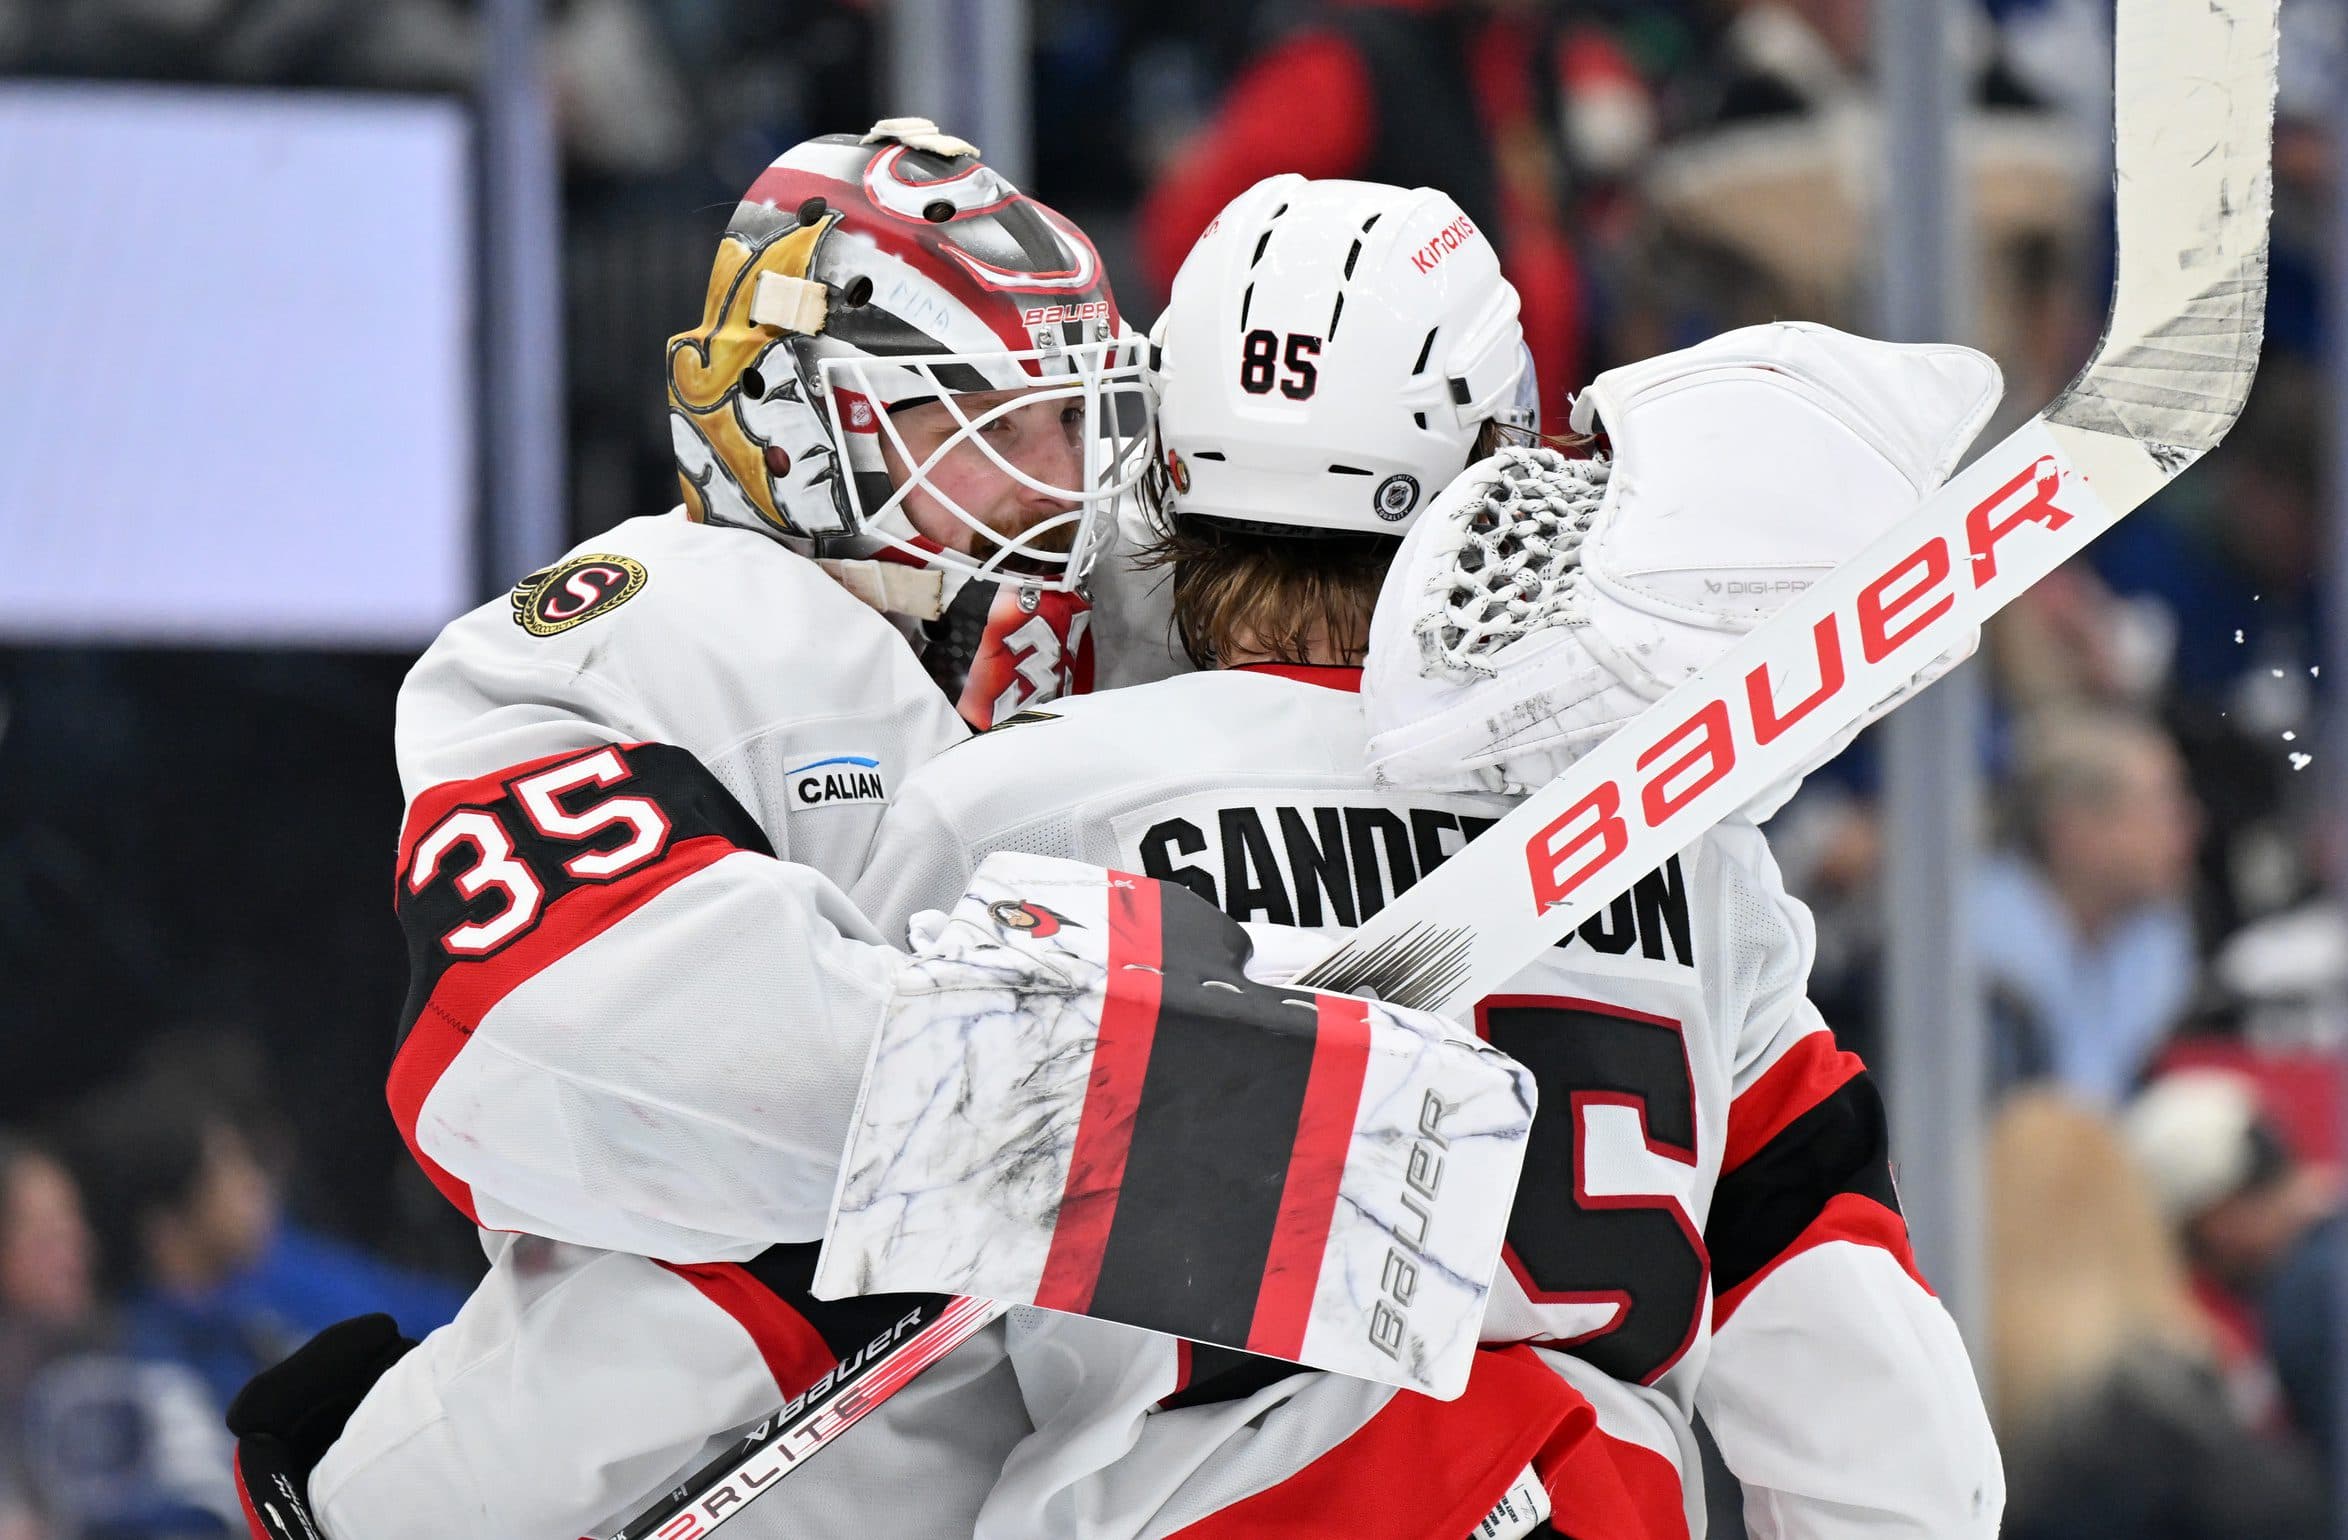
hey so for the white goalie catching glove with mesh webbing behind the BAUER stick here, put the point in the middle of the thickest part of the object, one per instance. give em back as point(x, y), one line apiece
point(1546, 602)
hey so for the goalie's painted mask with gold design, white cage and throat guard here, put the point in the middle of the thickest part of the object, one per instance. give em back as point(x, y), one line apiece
point(919, 377)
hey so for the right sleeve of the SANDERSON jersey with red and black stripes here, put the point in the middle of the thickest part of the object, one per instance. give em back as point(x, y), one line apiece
point(1837, 1386)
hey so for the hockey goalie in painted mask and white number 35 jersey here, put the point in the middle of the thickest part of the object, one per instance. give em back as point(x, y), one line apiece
point(640, 999)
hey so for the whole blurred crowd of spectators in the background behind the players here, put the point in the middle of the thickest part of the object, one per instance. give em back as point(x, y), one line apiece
point(2168, 975)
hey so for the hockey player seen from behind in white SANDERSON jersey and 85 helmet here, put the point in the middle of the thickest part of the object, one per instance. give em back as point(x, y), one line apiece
point(1706, 1220)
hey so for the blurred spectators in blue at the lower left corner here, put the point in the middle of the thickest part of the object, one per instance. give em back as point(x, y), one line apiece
point(149, 1267)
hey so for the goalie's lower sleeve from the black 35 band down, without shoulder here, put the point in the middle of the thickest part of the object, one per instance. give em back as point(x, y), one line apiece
point(628, 1025)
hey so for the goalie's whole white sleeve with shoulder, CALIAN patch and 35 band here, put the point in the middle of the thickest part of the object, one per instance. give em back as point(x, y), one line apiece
point(637, 997)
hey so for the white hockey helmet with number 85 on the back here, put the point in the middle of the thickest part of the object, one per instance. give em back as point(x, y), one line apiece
point(1330, 356)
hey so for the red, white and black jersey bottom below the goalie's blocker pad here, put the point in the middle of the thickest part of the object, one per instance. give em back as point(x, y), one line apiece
point(1142, 1438)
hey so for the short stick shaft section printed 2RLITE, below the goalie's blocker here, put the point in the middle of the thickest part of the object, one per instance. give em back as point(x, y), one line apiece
point(781, 1445)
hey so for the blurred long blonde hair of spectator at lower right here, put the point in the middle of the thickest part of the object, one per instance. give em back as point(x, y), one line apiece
point(2082, 1264)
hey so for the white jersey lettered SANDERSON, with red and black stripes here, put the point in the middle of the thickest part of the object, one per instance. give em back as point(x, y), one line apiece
point(1706, 1217)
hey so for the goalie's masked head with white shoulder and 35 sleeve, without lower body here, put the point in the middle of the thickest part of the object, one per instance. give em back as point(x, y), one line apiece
point(905, 417)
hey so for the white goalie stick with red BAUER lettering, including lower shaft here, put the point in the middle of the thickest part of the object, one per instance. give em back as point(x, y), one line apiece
point(2194, 97)
